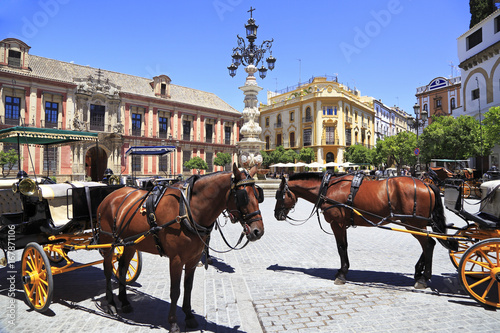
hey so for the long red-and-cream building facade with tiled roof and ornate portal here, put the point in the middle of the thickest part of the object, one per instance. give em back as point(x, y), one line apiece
point(124, 110)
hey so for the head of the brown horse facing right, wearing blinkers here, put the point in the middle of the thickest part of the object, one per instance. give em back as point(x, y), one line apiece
point(243, 202)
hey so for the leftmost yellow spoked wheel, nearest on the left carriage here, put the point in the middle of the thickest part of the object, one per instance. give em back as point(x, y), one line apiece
point(36, 275)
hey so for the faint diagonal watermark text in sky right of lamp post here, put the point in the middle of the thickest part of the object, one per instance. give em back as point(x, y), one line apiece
point(364, 35)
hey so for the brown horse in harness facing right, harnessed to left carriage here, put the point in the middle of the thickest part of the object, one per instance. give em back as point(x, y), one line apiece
point(178, 227)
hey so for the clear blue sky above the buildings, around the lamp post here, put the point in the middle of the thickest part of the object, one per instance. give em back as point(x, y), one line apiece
point(386, 49)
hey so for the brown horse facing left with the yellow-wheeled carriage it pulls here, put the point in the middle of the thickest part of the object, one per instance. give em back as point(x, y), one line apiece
point(410, 203)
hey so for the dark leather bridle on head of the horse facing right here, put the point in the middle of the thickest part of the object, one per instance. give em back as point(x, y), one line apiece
point(240, 195)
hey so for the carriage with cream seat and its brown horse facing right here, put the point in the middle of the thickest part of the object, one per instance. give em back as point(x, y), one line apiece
point(174, 220)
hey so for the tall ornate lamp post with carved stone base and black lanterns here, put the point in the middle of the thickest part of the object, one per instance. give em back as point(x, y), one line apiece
point(251, 56)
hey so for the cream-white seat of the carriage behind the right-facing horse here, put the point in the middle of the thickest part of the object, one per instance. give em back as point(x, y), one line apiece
point(59, 199)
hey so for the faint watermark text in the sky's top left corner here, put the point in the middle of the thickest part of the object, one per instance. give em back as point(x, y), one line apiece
point(32, 25)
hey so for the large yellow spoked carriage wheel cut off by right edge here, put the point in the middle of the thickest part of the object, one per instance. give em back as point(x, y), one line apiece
point(479, 272)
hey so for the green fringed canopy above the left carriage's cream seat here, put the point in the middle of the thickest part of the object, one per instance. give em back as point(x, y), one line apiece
point(43, 136)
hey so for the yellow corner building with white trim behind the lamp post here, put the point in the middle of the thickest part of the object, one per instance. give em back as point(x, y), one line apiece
point(321, 114)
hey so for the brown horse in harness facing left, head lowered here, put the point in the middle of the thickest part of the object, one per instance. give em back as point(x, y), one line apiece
point(404, 200)
